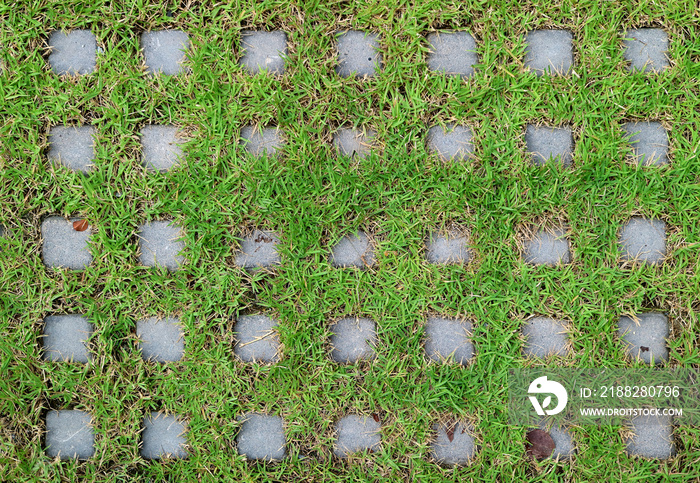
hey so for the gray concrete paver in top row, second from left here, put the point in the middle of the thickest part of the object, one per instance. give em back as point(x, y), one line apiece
point(164, 51)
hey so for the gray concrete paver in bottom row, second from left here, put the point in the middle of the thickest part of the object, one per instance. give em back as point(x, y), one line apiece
point(164, 436)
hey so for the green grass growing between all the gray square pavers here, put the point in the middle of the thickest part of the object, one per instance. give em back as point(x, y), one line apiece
point(313, 199)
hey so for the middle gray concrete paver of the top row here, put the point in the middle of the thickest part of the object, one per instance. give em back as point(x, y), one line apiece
point(358, 54)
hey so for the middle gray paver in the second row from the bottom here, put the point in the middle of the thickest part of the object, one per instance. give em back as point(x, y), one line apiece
point(353, 339)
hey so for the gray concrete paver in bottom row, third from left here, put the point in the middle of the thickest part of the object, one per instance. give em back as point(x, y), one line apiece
point(262, 437)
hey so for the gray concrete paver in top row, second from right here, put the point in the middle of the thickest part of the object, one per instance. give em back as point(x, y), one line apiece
point(549, 52)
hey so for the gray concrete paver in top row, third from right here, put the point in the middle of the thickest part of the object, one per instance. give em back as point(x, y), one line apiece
point(452, 53)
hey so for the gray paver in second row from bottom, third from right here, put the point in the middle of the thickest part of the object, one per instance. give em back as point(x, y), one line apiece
point(449, 339)
